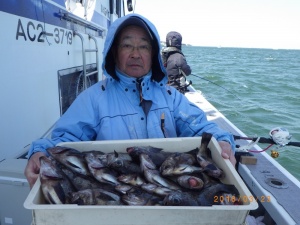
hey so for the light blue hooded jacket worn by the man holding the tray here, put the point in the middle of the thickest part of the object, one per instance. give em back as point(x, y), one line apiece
point(111, 110)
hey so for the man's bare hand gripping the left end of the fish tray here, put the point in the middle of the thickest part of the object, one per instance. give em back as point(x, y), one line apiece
point(33, 168)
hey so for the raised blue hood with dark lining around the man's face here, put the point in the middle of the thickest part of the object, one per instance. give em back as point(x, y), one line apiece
point(108, 64)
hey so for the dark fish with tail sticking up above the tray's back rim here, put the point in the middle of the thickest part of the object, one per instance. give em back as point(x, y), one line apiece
point(204, 158)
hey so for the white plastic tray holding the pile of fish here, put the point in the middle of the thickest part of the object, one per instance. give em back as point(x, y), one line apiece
point(44, 214)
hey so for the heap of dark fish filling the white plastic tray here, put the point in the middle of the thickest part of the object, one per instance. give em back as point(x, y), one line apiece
point(132, 178)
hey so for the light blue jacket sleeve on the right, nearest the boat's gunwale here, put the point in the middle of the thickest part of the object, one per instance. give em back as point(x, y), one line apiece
point(191, 121)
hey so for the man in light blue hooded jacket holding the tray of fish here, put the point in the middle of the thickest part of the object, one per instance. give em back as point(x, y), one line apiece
point(133, 102)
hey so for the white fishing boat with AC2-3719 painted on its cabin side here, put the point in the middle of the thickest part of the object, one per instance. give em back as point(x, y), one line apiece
point(50, 52)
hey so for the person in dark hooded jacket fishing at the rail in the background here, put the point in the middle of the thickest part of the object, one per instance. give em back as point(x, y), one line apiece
point(175, 62)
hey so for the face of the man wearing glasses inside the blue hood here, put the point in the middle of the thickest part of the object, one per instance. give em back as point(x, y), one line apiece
point(134, 52)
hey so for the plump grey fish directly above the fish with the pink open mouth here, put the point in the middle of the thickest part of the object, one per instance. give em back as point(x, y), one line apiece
point(179, 164)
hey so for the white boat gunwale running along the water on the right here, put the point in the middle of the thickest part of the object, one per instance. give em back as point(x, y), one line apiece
point(272, 186)
